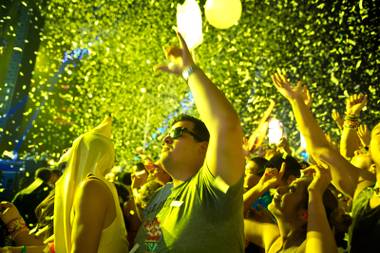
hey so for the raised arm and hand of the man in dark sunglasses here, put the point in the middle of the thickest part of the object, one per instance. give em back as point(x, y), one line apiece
point(224, 153)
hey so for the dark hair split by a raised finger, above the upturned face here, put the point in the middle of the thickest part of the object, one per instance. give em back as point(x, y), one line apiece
point(292, 167)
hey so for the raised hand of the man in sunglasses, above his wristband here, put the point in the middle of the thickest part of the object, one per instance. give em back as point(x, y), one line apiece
point(179, 58)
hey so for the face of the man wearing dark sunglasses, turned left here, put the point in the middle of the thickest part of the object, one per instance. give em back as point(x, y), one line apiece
point(180, 148)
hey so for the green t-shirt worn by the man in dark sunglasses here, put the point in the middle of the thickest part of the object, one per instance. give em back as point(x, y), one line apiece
point(203, 214)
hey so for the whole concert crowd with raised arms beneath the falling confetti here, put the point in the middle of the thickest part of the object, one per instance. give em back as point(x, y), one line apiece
point(212, 189)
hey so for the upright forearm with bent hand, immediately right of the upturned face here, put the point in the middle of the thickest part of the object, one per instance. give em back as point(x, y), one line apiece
point(319, 237)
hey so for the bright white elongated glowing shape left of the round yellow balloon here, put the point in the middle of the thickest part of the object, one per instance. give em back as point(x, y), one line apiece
point(189, 23)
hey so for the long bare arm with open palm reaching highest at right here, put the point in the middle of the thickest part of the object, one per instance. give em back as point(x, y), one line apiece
point(344, 175)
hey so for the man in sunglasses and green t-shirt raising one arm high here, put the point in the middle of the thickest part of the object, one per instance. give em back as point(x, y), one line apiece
point(202, 209)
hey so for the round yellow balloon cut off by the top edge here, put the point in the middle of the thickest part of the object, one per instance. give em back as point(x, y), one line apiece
point(223, 14)
